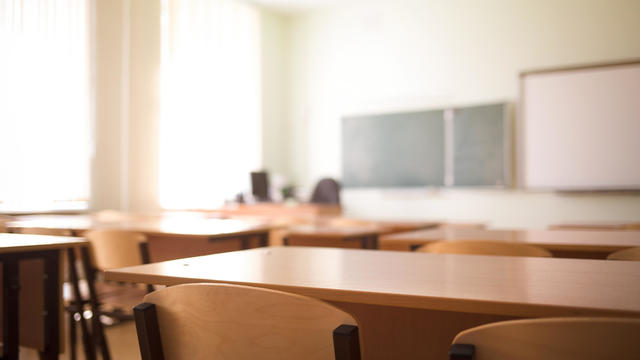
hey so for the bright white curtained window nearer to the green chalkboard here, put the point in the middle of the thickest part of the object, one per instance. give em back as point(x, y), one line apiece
point(210, 127)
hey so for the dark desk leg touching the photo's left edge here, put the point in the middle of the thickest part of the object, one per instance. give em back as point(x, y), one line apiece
point(11, 289)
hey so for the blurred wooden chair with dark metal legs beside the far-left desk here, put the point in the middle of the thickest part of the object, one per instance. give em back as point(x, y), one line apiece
point(108, 249)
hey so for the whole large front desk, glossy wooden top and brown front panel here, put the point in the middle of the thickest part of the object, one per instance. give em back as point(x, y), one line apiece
point(411, 305)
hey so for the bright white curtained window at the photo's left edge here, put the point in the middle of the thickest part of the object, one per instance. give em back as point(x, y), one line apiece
point(45, 142)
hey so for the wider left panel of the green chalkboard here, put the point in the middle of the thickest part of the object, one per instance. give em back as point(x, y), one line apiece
point(393, 150)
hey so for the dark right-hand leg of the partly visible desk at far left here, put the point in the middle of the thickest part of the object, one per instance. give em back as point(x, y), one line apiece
point(51, 304)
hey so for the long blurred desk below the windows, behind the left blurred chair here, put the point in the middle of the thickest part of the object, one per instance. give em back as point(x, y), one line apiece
point(168, 237)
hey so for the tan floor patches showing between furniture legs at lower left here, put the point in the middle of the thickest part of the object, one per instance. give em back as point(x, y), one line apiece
point(122, 339)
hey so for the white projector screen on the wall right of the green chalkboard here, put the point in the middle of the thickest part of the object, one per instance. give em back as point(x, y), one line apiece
point(580, 128)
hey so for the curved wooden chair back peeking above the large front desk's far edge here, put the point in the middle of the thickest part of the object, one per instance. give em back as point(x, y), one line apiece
point(484, 247)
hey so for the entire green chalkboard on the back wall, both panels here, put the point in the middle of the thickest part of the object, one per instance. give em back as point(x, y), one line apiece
point(465, 147)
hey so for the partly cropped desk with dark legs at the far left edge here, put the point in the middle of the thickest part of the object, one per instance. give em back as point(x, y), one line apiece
point(14, 249)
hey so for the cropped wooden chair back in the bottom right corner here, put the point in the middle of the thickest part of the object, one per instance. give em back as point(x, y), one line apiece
point(550, 339)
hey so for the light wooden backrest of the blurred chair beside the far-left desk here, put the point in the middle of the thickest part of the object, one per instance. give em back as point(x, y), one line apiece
point(115, 248)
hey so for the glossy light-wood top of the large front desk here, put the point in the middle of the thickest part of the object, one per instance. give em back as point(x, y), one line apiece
point(484, 284)
